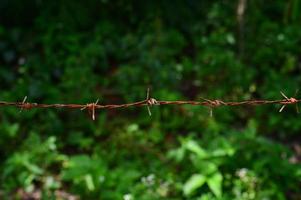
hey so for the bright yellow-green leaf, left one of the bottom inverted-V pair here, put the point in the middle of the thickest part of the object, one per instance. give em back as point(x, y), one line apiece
point(193, 183)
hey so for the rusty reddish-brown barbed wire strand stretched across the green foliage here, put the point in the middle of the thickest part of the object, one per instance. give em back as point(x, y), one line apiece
point(149, 102)
